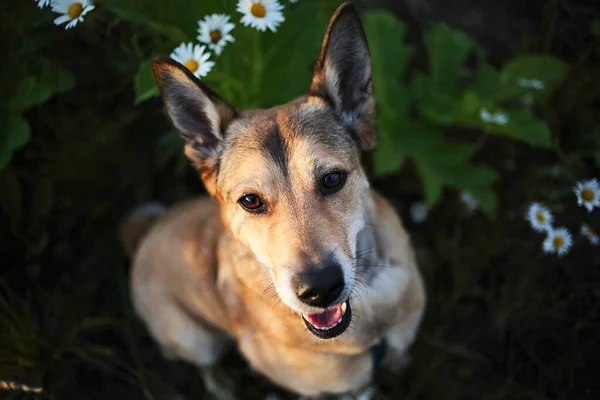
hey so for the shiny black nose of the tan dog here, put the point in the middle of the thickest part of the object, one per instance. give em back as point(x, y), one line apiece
point(319, 287)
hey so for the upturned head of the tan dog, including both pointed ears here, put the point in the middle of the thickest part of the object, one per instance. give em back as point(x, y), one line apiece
point(289, 178)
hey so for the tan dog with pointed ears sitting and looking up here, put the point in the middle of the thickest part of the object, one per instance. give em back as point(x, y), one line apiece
point(293, 255)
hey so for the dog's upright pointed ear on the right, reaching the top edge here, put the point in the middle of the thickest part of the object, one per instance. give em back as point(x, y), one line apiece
point(342, 75)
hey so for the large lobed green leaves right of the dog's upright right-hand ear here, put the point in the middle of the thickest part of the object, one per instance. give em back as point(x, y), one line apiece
point(450, 95)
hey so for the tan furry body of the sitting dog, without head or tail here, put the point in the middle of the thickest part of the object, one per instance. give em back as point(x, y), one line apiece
point(177, 261)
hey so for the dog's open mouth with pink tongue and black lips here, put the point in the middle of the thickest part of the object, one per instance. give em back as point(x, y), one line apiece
point(330, 323)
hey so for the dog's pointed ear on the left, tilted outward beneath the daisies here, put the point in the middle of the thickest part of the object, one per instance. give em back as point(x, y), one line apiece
point(198, 113)
